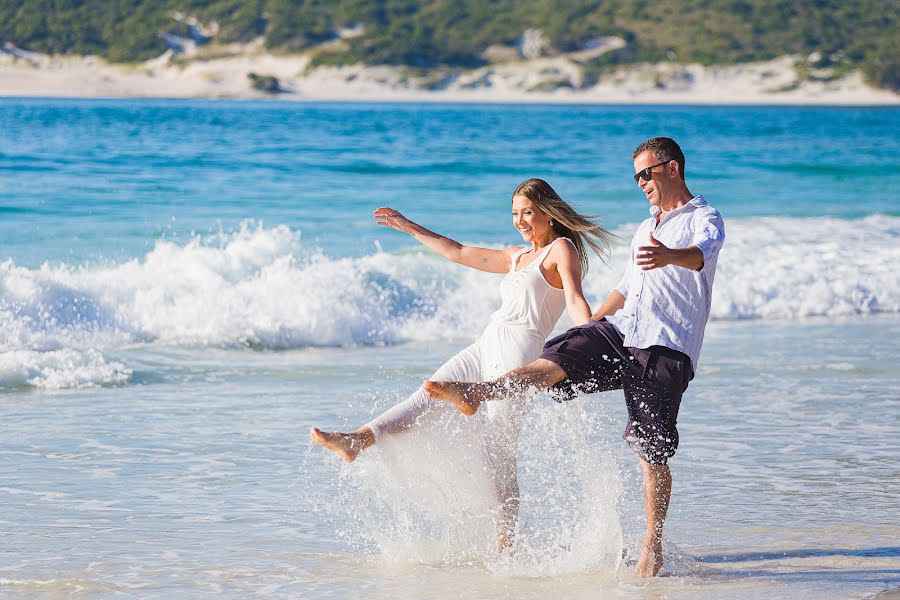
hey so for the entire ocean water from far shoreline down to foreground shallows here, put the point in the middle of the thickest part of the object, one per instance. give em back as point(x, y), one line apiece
point(186, 287)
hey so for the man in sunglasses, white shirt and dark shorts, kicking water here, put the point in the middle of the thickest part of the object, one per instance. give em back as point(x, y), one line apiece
point(646, 337)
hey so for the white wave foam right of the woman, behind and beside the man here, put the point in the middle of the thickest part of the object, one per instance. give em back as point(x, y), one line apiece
point(789, 268)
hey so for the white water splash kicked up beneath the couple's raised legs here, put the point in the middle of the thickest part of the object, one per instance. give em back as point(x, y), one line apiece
point(426, 496)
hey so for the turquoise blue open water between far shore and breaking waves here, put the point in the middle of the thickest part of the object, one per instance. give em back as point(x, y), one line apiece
point(95, 179)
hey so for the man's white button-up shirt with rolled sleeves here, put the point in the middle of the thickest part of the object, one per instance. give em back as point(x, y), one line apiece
point(670, 306)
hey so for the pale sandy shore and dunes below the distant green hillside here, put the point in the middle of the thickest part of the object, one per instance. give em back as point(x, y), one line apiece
point(555, 79)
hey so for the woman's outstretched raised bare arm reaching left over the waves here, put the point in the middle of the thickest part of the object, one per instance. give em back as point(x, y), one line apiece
point(483, 259)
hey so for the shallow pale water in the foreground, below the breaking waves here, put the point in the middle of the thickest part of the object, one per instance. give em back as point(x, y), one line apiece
point(785, 482)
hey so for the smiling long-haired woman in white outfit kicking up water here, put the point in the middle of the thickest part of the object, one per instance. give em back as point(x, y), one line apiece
point(541, 279)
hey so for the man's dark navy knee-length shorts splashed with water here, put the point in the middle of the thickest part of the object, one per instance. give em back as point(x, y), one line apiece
point(653, 379)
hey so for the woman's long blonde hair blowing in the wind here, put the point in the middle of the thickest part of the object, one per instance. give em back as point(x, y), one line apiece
point(567, 222)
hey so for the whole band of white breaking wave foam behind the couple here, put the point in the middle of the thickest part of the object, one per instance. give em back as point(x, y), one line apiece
point(259, 287)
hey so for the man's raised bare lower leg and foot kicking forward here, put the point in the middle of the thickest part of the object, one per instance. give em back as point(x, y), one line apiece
point(467, 397)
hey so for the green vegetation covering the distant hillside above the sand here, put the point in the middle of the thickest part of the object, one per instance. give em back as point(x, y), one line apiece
point(454, 33)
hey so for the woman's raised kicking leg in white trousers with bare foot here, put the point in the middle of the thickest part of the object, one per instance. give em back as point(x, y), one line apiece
point(463, 366)
